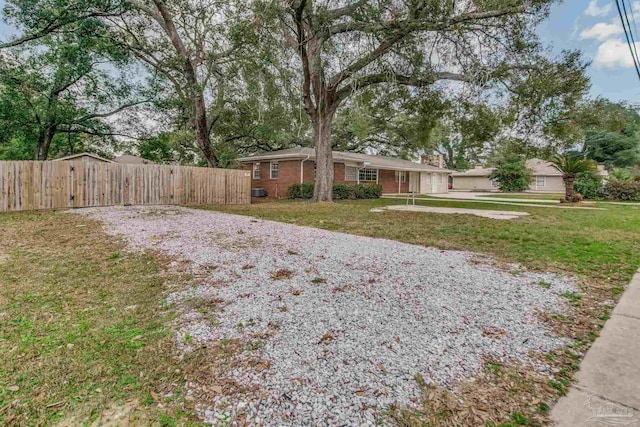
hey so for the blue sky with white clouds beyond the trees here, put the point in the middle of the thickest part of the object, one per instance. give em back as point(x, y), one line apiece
point(591, 26)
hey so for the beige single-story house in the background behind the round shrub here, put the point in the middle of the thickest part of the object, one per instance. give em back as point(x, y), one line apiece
point(545, 177)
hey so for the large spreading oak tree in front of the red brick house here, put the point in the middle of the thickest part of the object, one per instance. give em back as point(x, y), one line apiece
point(346, 46)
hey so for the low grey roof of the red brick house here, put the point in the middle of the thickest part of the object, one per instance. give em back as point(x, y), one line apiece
point(360, 160)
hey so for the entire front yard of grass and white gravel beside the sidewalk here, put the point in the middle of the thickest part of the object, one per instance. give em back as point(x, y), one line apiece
point(213, 314)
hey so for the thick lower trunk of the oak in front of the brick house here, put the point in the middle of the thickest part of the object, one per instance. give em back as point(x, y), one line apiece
point(323, 190)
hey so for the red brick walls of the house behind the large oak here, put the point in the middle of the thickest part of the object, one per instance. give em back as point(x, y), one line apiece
point(289, 173)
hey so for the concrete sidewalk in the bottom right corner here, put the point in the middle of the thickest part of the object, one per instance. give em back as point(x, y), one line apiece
point(607, 391)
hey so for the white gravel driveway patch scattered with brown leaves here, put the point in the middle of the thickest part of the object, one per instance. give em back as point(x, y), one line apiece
point(351, 342)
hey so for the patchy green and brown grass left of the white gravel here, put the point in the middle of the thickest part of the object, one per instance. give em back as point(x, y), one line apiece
point(84, 337)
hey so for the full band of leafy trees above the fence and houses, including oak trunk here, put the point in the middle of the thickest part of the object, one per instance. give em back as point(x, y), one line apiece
point(203, 81)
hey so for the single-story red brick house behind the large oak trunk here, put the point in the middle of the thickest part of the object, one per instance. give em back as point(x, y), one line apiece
point(277, 170)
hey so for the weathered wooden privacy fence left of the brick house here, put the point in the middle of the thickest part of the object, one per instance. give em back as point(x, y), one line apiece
point(32, 185)
